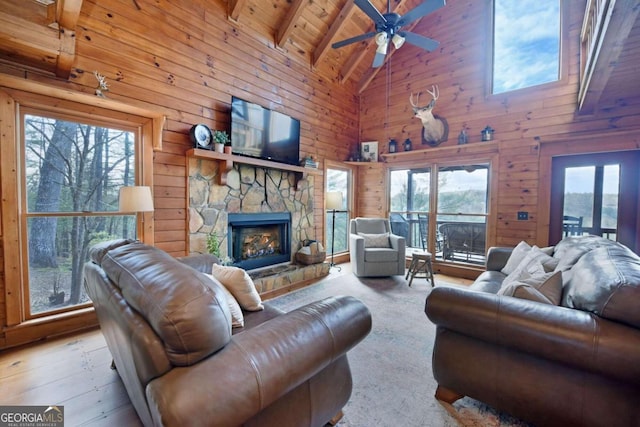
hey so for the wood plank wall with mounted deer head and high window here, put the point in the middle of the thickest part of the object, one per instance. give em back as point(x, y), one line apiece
point(523, 121)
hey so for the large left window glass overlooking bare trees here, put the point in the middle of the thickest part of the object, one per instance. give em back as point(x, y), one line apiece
point(73, 172)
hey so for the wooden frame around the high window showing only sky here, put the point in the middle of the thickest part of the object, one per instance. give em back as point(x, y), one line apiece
point(563, 75)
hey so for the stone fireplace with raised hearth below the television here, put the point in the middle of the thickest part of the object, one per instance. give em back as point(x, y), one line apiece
point(255, 192)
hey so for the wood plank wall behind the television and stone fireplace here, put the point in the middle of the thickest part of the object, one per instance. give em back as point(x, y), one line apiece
point(185, 59)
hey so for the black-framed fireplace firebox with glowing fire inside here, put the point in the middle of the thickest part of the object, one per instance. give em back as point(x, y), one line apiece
point(259, 239)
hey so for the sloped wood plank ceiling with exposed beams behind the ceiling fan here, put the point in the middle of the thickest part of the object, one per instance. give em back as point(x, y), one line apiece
point(307, 29)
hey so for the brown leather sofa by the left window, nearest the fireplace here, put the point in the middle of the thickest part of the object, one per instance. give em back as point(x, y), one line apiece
point(169, 330)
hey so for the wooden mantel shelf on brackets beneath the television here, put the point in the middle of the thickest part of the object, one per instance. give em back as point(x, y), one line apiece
point(226, 162)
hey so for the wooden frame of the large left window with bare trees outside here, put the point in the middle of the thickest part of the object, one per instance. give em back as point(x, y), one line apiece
point(16, 94)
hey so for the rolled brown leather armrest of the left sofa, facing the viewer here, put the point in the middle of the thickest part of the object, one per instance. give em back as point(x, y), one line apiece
point(260, 365)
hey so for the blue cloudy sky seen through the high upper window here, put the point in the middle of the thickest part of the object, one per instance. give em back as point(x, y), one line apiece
point(526, 43)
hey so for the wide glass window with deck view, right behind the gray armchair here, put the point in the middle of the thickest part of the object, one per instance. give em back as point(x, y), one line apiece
point(449, 220)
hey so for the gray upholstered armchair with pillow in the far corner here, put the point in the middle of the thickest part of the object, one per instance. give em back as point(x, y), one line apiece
point(375, 251)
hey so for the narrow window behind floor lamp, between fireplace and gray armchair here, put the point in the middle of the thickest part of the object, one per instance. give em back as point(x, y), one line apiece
point(338, 180)
